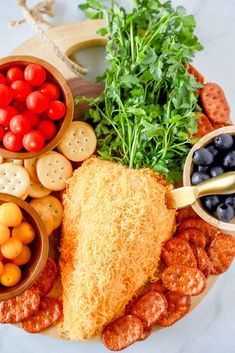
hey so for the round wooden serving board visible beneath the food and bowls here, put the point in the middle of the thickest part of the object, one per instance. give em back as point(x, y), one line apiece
point(71, 38)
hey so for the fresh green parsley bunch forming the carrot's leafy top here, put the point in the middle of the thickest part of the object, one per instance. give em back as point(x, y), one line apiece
point(146, 112)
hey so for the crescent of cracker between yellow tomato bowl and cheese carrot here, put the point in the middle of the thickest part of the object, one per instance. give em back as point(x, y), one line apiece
point(55, 207)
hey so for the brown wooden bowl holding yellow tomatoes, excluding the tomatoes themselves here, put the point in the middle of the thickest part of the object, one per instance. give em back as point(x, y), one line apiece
point(39, 248)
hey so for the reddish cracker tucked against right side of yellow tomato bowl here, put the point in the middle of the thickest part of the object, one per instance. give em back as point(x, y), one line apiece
point(47, 278)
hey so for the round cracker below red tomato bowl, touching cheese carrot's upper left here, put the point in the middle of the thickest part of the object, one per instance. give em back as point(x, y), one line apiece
point(53, 169)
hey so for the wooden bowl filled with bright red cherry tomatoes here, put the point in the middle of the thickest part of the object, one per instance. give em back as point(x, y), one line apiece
point(36, 107)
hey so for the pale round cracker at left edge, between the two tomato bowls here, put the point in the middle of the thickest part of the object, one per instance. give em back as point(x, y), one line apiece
point(14, 179)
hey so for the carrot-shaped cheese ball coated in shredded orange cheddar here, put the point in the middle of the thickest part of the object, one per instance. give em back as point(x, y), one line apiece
point(115, 221)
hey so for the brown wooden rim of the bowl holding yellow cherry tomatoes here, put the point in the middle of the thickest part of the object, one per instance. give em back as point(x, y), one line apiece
point(44, 251)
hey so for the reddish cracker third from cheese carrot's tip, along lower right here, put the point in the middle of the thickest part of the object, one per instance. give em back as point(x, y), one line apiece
point(178, 306)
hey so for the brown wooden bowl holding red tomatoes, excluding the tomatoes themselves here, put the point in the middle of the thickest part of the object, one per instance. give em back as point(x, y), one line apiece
point(55, 76)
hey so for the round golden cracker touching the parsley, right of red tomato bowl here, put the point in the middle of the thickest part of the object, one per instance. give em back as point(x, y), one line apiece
point(79, 142)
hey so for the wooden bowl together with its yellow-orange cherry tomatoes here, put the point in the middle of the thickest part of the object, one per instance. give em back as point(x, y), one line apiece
point(24, 246)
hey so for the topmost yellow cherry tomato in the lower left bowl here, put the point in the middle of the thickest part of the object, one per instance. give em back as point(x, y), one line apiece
point(10, 214)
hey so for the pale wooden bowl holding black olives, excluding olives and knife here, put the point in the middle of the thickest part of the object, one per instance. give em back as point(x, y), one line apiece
point(188, 169)
